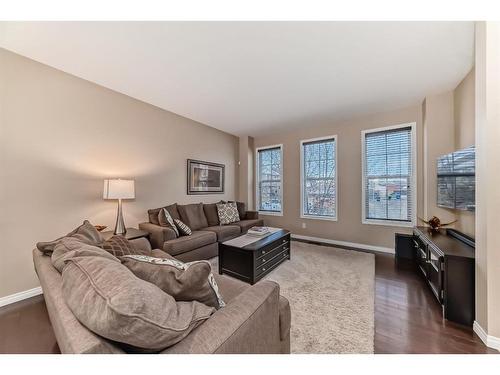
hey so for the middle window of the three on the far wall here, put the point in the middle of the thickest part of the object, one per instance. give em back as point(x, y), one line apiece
point(319, 178)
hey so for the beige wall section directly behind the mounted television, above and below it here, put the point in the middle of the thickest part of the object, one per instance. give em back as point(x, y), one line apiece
point(464, 115)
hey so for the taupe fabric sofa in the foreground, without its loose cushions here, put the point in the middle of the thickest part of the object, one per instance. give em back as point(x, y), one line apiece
point(256, 319)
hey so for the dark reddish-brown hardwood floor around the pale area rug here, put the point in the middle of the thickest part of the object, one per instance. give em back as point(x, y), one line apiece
point(407, 319)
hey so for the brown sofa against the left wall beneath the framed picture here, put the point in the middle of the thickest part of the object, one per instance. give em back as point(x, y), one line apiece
point(207, 231)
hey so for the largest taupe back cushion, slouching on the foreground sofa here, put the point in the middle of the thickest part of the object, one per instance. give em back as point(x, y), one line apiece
point(111, 301)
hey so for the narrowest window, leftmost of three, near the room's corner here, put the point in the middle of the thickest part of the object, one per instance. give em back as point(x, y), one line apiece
point(269, 180)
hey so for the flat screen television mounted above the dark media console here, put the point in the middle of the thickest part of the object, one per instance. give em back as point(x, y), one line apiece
point(456, 180)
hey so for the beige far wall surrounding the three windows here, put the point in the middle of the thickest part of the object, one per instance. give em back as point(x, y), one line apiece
point(348, 227)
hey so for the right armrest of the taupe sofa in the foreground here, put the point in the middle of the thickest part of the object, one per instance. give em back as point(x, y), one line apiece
point(249, 323)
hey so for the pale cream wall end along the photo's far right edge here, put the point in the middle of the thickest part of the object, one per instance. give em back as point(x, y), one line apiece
point(487, 135)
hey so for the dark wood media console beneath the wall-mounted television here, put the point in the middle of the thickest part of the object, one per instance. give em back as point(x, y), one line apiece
point(446, 261)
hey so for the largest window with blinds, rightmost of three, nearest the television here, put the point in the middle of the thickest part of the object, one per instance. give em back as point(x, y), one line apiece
point(388, 175)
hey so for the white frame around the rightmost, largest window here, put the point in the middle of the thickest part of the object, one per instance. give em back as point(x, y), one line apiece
point(413, 177)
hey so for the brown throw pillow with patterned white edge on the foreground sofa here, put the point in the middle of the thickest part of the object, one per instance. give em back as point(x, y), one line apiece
point(191, 281)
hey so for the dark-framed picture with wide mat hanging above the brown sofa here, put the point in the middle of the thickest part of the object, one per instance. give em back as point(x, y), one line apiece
point(204, 177)
